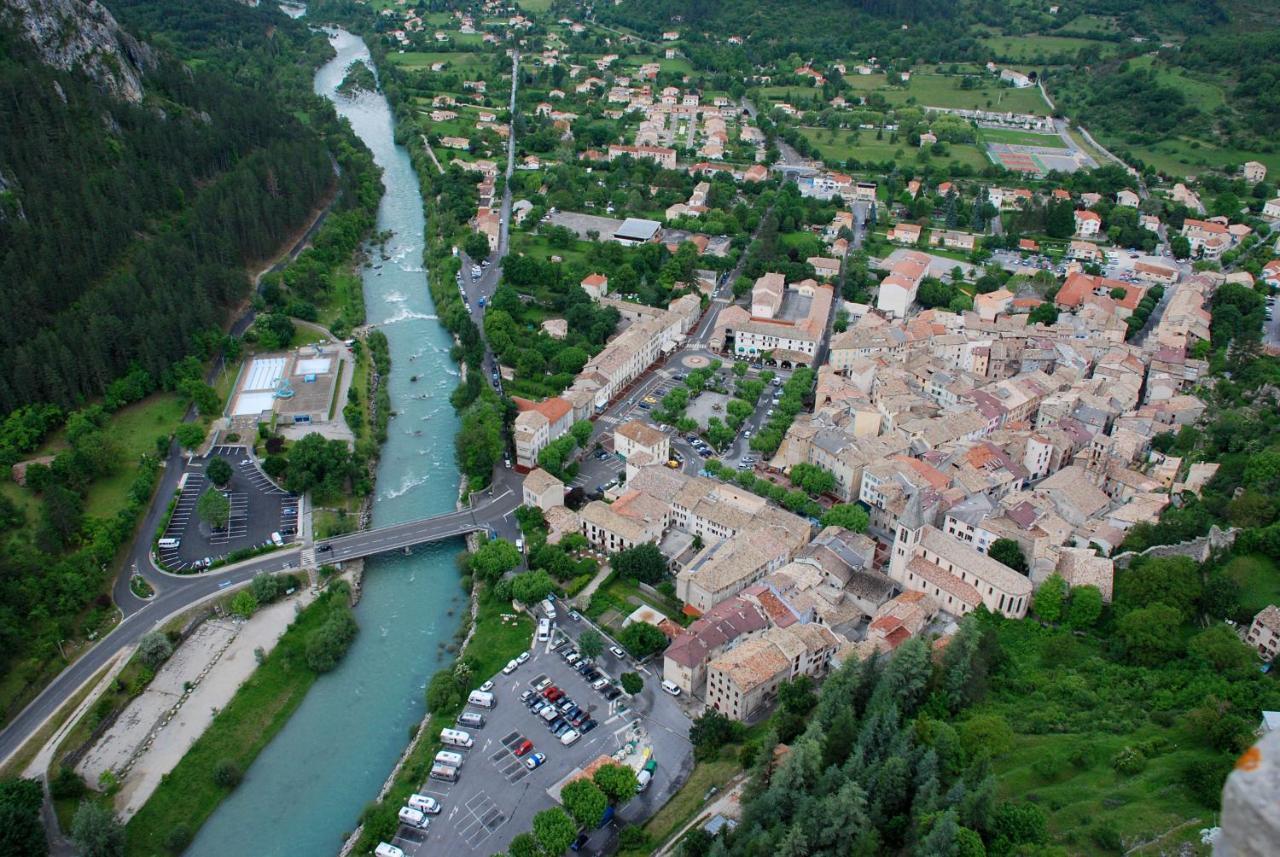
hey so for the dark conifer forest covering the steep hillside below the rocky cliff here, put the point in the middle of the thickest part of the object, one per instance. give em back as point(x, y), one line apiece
point(126, 227)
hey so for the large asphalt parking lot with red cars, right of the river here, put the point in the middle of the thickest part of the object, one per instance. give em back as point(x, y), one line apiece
point(497, 794)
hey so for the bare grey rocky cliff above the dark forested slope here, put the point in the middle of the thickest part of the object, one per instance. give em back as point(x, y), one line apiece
point(74, 34)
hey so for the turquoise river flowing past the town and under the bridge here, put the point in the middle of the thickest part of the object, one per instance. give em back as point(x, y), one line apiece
point(305, 792)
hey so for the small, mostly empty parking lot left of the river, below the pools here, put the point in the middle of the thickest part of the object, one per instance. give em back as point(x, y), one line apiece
point(258, 510)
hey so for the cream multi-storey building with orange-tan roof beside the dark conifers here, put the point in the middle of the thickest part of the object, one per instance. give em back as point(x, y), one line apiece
point(744, 682)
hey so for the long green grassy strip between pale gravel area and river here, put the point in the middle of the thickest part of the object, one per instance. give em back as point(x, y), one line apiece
point(189, 795)
